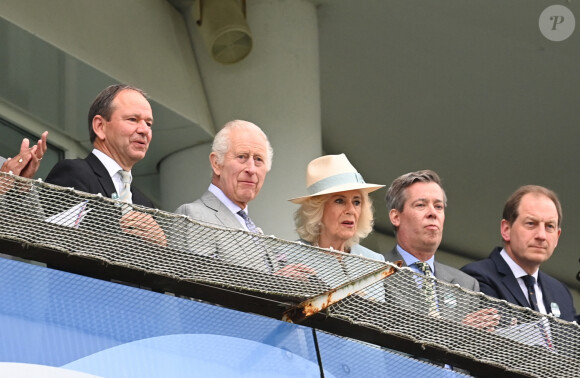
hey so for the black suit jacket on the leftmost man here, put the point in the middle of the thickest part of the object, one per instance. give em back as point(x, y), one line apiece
point(89, 175)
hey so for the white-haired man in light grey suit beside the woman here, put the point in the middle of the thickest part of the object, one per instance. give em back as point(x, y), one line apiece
point(240, 159)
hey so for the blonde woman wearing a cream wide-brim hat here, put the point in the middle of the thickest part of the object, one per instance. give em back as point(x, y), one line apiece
point(337, 213)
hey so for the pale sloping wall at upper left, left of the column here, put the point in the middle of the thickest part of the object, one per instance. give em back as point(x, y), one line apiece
point(154, 53)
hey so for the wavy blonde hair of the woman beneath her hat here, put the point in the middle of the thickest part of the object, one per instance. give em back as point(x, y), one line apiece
point(308, 218)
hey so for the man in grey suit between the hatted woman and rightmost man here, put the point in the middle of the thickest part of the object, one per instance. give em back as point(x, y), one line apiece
point(416, 203)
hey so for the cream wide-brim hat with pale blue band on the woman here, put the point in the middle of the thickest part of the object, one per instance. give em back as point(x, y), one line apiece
point(332, 174)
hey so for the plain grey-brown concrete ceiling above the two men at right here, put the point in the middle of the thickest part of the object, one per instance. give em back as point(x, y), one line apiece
point(470, 89)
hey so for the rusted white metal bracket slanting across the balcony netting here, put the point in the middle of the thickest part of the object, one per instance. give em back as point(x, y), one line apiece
point(320, 302)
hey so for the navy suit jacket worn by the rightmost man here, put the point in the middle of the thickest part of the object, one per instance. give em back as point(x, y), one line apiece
point(497, 280)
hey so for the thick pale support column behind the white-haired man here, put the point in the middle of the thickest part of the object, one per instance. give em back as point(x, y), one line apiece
point(275, 87)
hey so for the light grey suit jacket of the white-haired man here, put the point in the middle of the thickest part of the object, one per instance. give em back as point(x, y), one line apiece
point(232, 245)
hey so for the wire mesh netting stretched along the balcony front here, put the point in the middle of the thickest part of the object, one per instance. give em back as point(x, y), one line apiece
point(445, 317)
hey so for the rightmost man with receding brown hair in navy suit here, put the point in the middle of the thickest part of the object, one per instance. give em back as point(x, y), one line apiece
point(530, 229)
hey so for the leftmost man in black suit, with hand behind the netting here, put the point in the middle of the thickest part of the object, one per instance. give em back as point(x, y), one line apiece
point(120, 121)
